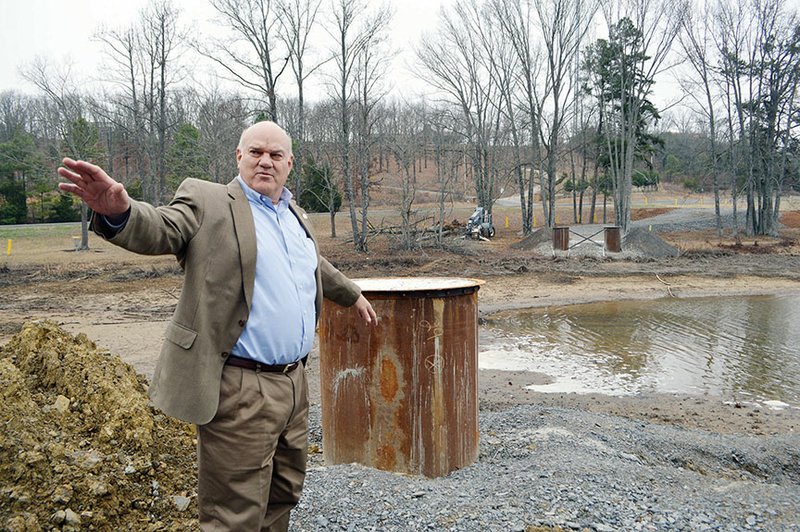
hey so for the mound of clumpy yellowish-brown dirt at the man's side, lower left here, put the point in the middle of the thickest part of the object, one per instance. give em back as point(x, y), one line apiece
point(81, 447)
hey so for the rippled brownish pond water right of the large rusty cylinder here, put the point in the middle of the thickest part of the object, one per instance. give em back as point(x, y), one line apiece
point(724, 346)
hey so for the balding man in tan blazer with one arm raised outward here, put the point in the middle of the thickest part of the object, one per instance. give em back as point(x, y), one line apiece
point(235, 348)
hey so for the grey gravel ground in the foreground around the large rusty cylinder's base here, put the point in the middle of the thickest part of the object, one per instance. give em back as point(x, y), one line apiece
point(543, 468)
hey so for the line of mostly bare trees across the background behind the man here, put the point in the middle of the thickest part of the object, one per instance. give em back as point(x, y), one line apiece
point(522, 96)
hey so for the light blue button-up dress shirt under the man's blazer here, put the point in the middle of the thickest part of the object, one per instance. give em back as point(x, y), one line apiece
point(280, 329)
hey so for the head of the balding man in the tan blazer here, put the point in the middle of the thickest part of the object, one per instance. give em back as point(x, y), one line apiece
point(265, 159)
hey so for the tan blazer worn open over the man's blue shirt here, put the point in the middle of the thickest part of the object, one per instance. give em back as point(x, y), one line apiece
point(209, 228)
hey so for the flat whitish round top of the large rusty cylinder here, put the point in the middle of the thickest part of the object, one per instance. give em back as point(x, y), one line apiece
point(418, 286)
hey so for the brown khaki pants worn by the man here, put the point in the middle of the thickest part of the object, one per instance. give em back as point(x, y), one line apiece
point(252, 456)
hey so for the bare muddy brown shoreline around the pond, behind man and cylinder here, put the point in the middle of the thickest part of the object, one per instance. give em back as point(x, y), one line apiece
point(125, 310)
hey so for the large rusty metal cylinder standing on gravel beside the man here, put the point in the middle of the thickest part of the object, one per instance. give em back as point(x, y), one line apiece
point(402, 395)
